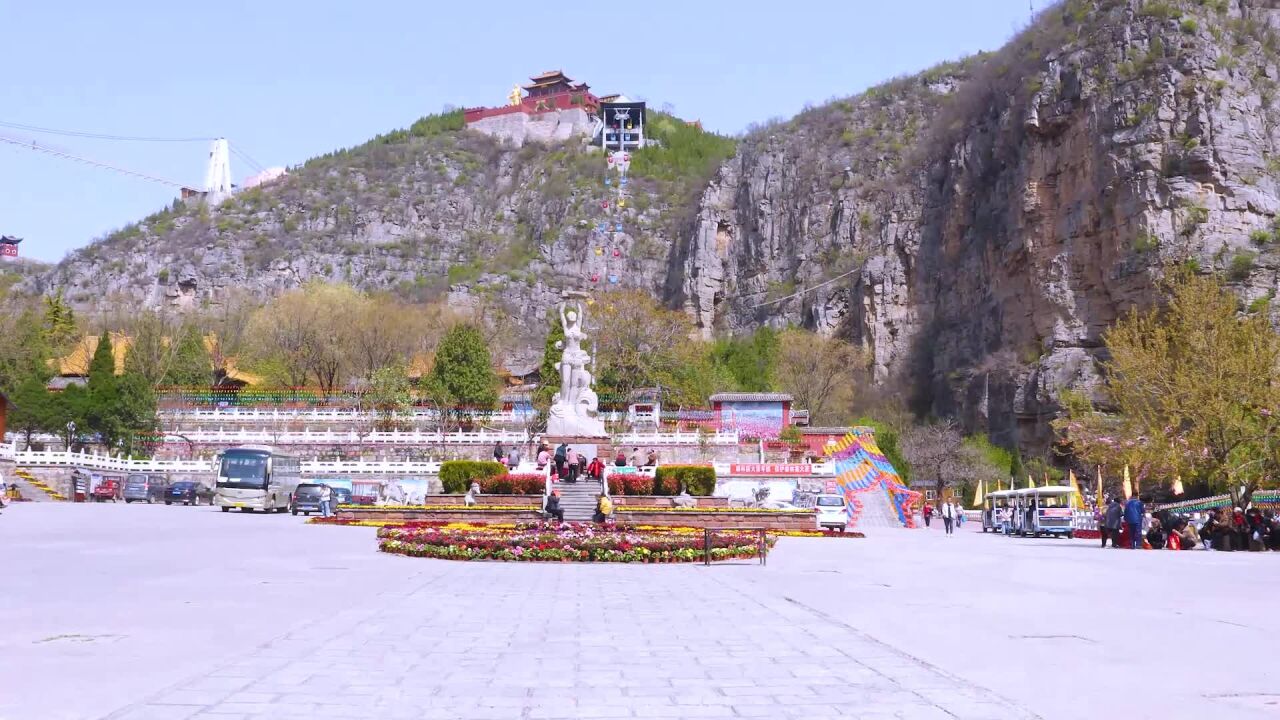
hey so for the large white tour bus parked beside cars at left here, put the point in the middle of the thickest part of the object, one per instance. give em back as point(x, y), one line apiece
point(254, 477)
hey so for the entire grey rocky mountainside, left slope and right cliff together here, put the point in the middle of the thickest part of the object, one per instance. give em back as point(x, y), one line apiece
point(976, 227)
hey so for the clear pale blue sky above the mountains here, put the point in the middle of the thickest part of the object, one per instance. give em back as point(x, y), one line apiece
point(286, 80)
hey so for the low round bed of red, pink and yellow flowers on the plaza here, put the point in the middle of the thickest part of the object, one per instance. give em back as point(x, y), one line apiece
point(568, 543)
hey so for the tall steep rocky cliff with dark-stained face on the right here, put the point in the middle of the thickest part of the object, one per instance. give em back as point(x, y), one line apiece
point(996, 216)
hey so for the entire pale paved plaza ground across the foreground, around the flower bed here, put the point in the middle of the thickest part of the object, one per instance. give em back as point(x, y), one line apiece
point(153, 613)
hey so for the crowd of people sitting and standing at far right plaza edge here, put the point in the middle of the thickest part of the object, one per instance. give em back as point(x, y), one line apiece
point(1127, 525)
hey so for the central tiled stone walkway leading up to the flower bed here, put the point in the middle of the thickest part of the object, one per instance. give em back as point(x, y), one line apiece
point(490, 641)
